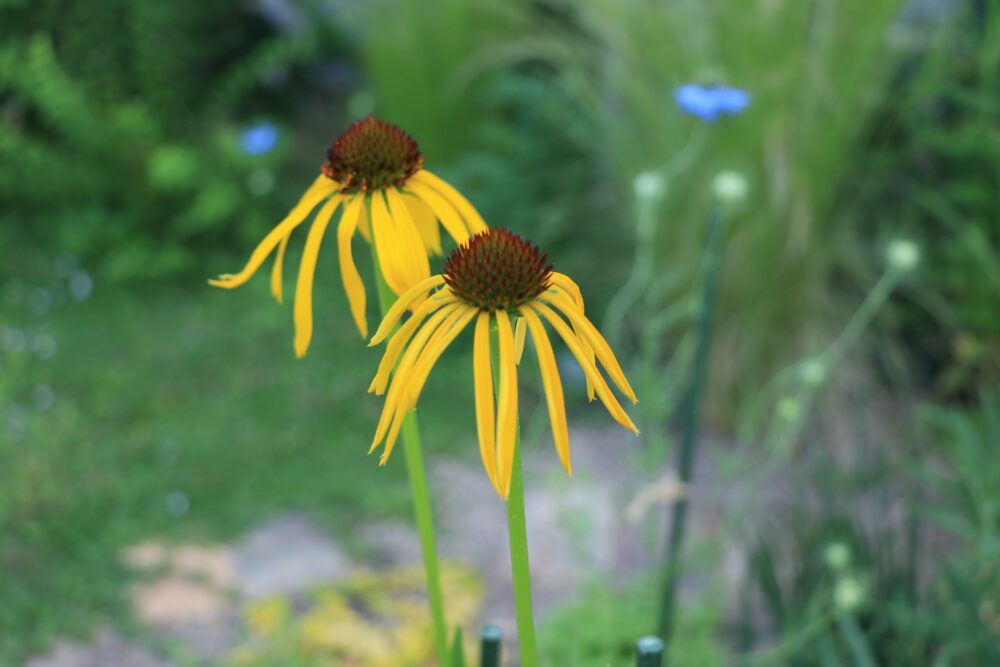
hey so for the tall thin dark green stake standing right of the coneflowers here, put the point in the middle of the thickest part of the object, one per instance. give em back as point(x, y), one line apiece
point(689, 428)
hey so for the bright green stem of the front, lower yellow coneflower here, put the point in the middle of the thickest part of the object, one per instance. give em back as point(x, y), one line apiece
point(517, 531)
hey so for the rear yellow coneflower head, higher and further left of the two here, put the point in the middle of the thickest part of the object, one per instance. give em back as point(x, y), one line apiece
point(374, 173)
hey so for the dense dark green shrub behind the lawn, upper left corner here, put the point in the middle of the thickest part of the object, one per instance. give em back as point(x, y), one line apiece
point(119, 139)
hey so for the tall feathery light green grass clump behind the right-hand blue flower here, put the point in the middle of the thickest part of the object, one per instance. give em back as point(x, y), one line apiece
point(815, 71)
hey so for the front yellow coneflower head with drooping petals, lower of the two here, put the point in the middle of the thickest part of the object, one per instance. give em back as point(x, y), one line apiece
point(495, 279)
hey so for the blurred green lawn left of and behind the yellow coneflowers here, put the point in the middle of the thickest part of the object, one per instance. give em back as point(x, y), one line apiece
point(193, 392)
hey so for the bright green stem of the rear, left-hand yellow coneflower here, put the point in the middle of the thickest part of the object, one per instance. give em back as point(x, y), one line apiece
point(421, 499)
